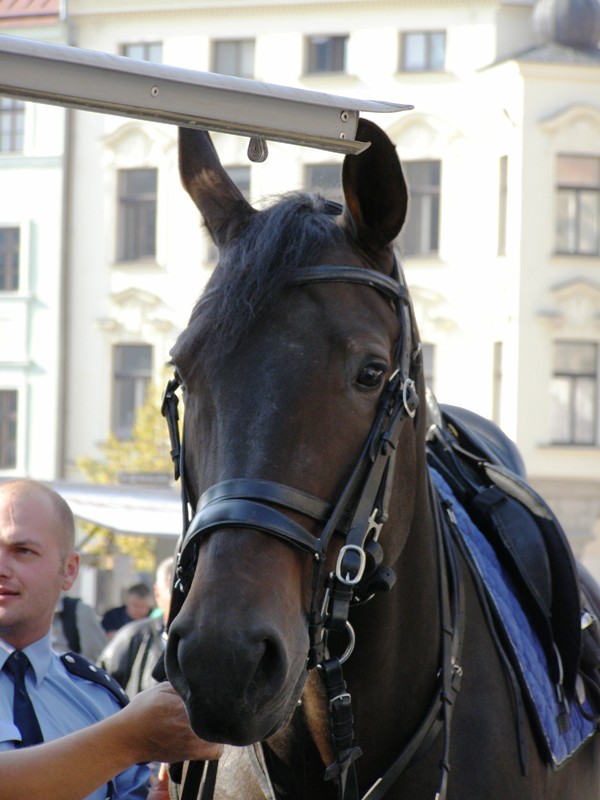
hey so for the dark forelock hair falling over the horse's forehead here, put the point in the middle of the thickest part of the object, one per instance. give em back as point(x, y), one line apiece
point(253, 269)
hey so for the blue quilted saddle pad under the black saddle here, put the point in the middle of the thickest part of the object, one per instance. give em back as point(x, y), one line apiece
point(527, 651)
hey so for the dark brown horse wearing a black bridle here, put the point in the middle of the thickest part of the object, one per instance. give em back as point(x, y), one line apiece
point(320, 608)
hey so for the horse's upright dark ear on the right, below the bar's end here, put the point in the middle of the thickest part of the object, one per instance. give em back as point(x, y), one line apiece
point(374, 190)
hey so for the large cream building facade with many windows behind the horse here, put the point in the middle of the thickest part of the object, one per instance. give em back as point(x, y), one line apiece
point(502, 244)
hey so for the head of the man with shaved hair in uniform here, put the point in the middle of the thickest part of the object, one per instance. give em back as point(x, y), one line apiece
point(37, 559)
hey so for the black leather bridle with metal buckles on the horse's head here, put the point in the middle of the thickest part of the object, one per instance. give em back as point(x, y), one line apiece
point(358, 515)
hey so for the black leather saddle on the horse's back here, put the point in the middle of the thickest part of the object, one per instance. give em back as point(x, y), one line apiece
point(486, 473)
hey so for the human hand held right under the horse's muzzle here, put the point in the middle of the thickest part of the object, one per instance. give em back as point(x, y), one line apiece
point(158, 728)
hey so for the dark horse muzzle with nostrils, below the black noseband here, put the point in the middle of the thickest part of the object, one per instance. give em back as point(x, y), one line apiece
point(237, 649)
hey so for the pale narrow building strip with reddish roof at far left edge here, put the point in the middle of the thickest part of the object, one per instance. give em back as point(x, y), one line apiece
point(32, 277)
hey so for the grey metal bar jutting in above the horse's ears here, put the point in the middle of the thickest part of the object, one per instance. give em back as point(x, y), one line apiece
point(111, 84)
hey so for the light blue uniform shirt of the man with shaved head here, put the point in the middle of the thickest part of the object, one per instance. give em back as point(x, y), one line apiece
point(64, 703)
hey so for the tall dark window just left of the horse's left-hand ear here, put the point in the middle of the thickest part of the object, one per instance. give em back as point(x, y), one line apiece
point(137, 214)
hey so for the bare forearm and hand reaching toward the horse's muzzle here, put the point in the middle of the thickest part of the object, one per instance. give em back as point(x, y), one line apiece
point(153, 727)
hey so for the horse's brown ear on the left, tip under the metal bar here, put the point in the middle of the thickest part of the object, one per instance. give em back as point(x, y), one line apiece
point(224, 208)
